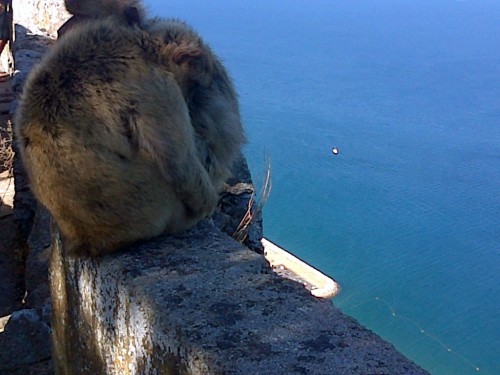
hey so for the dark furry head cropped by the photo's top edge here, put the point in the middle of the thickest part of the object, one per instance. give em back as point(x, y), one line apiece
point(130, 12)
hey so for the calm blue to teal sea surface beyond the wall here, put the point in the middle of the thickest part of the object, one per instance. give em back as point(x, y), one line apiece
point(407, 216)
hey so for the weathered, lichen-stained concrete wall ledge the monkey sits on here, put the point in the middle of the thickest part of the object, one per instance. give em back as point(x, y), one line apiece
point(201, 304)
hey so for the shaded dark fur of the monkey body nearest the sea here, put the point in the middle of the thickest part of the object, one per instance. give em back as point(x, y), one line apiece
point(208, 90)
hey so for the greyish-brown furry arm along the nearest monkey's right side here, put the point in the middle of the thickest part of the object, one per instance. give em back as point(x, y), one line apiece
point(164, 134)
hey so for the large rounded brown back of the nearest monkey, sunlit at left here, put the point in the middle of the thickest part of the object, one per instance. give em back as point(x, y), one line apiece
point(106, 139)
